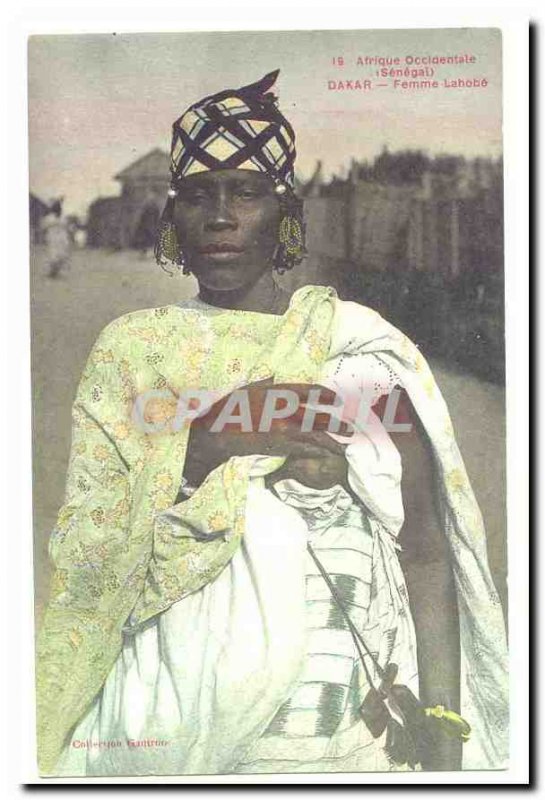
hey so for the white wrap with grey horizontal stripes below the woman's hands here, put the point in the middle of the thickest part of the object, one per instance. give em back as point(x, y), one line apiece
point(319, 727)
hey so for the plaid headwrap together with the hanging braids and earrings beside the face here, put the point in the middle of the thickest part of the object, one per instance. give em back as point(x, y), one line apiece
point(236, 129)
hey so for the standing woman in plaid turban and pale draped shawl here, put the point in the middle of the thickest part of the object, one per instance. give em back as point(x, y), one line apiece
point(190, 627)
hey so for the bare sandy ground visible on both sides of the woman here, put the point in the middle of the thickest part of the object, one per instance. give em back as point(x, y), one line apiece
point(67, 315)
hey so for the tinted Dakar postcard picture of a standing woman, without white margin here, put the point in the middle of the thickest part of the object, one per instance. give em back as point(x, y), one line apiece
point(268, 375)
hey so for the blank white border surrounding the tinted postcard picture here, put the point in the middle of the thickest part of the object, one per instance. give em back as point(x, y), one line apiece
point(17, 684)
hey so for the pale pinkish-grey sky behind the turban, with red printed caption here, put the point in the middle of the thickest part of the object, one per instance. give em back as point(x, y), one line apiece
point(99, 102)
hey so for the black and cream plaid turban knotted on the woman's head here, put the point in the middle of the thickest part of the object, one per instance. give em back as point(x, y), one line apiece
point(235, 129)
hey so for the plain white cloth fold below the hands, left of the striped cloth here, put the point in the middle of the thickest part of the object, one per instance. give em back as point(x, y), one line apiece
point(206, 677)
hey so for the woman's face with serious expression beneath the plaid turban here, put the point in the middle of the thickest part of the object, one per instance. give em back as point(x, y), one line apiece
point(227, 225)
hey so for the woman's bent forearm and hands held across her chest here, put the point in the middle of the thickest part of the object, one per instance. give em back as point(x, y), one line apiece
point(312, 455)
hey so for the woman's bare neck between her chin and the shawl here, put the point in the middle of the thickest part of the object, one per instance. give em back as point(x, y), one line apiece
point(264, 296)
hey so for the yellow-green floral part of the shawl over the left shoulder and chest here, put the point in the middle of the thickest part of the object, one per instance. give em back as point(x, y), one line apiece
point(113, 558)
